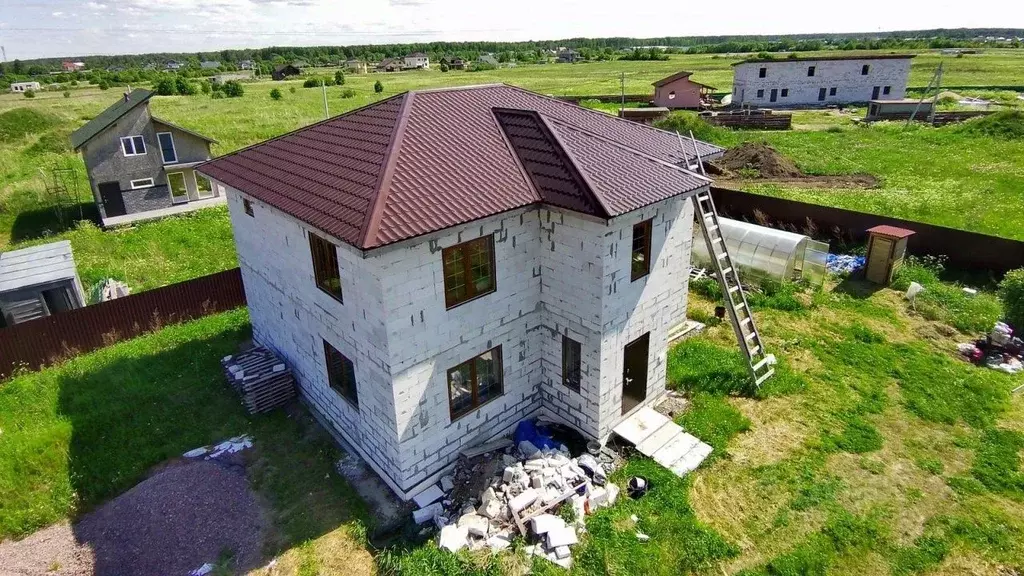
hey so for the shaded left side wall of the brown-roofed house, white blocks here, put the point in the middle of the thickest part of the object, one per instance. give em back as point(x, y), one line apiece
point(291, 315)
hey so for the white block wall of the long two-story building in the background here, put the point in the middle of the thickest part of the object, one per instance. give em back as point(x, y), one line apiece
point(844, 75)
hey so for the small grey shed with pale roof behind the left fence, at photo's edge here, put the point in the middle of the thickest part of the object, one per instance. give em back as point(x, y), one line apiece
point(38, 281)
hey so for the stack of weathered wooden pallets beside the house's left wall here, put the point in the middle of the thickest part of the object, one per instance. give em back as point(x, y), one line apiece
point(261, 378)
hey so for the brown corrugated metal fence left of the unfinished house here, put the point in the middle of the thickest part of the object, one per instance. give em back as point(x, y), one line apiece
point(51, 340)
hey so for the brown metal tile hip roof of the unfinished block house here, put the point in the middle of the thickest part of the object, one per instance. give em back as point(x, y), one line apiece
point(429, 160)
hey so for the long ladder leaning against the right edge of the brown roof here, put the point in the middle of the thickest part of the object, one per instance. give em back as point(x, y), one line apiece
point(760, 362)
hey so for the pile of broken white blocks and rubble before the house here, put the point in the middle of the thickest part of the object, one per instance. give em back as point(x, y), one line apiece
point(520, 489)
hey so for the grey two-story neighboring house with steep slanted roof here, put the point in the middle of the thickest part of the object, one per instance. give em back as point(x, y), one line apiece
point(140, 167)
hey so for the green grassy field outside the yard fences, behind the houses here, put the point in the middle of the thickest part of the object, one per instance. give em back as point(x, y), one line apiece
point(972, 183)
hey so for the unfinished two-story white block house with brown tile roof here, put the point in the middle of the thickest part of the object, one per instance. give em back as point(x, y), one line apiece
point(441, 265)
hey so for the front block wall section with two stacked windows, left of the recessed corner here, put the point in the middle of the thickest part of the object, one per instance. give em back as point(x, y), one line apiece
point(426, 340)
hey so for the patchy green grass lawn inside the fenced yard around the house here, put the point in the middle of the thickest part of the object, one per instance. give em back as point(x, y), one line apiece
point(874, 450)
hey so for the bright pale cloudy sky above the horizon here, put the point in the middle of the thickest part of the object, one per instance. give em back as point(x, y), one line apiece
point(64, 28)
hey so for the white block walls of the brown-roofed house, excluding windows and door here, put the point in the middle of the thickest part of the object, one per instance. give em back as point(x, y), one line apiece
point(559, 273)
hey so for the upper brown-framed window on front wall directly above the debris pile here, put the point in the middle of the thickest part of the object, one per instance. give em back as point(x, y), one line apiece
point(470, 271)
